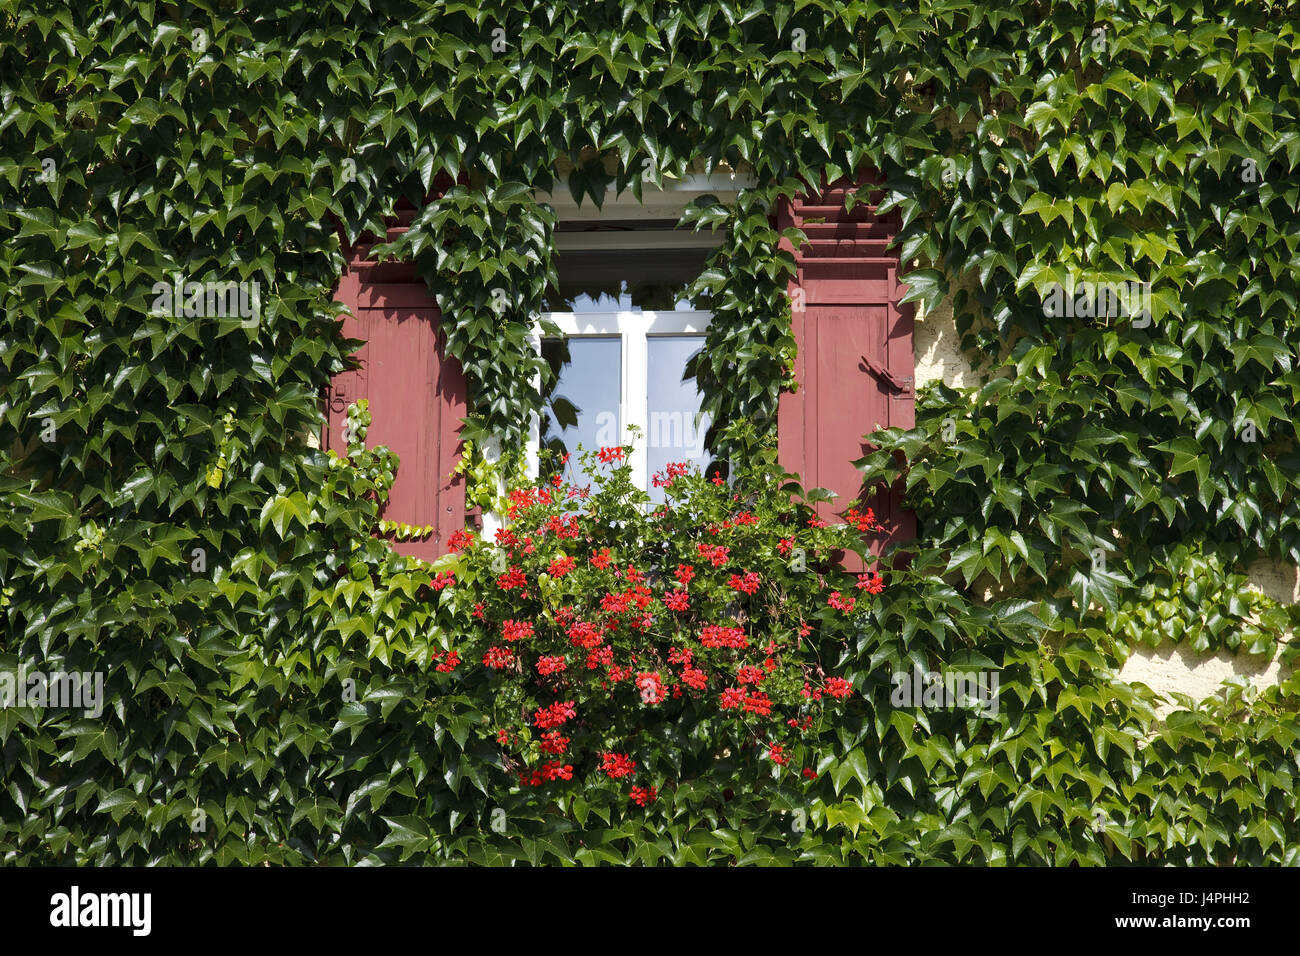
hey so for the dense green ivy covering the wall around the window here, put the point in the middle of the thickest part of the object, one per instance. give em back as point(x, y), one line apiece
point(268, 687)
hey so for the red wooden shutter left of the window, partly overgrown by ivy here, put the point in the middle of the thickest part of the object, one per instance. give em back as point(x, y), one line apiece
point(417, 395)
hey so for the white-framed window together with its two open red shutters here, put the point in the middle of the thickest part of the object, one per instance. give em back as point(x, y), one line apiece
point(629, 334)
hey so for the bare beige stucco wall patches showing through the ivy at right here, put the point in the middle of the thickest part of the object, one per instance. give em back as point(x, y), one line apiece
point(1169, 669)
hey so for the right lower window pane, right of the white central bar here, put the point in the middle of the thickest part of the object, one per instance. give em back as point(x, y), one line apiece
point(673, 405)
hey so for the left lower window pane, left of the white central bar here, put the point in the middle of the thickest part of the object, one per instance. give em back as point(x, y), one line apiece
point(583, 406)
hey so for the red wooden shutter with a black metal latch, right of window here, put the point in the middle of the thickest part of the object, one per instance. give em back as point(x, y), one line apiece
point(855, 366)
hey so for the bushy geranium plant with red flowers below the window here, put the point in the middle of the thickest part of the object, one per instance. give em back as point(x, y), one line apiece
point(629, 644)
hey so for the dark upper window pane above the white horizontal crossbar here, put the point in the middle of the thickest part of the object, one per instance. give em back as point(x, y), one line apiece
point(626, 280)
